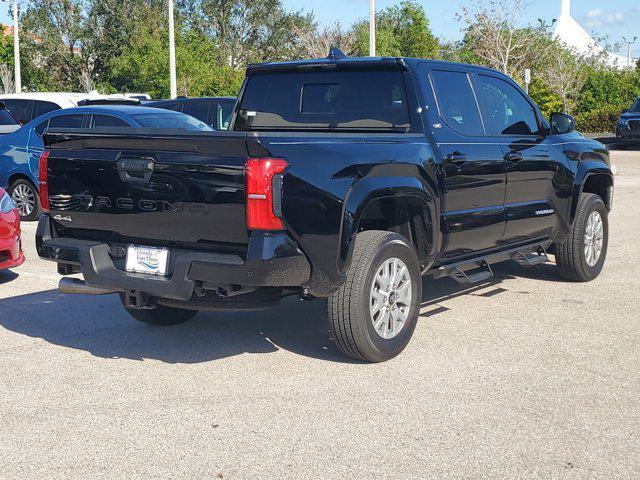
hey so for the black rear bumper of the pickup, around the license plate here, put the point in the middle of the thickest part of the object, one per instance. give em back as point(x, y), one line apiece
point(272, 260)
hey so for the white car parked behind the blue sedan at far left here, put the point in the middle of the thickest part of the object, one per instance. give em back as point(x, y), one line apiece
point(27, 106)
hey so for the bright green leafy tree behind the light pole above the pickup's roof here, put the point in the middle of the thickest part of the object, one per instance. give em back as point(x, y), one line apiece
point(401, 30)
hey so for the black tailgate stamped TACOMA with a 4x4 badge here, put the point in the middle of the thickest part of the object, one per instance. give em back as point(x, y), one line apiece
point(186, 188)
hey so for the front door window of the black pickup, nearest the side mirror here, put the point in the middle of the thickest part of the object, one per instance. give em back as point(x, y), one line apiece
point(504, 109)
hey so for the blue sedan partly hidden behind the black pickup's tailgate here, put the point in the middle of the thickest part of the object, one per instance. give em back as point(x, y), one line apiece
point(20, 151)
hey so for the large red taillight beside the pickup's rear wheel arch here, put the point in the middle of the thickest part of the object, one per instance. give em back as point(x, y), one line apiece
point(263, 193)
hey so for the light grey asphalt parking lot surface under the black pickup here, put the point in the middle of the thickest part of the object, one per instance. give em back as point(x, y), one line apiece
point(522, 377)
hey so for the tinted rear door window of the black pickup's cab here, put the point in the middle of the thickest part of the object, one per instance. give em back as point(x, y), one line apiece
point(456, 102)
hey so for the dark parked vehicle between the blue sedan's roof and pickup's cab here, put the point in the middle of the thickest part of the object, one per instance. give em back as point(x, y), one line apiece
point(214, 111)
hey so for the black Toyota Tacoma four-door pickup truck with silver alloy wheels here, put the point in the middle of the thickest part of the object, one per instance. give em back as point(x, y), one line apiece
point(341, 178)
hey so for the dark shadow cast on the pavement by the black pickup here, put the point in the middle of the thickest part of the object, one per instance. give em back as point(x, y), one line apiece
point(100, 326)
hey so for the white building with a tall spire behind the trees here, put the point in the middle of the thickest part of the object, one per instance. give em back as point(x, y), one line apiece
point(571, 33)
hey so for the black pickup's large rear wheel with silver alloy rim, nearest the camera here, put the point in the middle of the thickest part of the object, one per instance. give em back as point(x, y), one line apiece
point(374, 313)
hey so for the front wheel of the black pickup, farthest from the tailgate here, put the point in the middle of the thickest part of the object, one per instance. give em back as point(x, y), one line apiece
point(581, 256)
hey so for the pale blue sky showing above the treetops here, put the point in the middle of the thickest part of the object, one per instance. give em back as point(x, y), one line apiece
point(612, 19)
